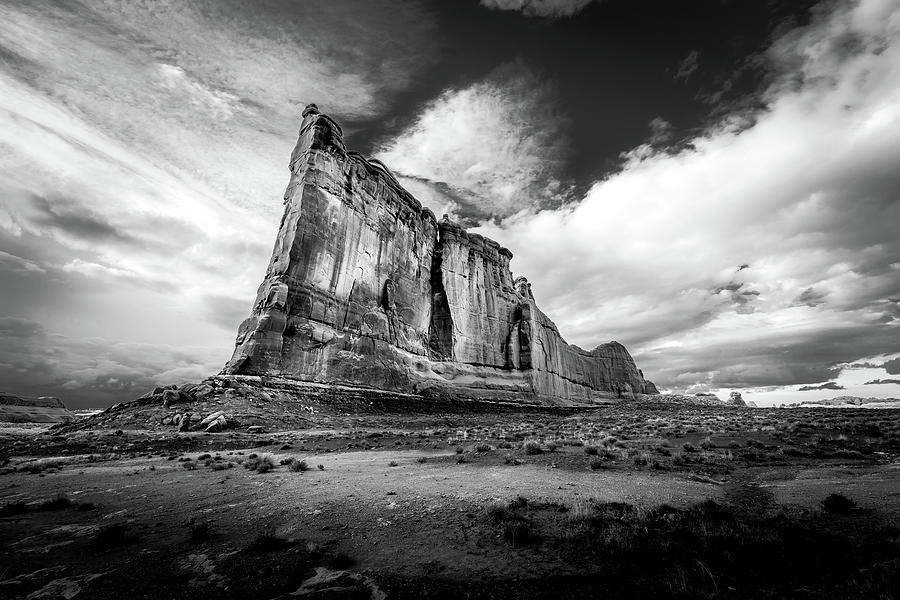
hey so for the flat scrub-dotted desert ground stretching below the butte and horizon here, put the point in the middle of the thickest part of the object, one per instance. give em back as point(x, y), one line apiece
point(369, 499)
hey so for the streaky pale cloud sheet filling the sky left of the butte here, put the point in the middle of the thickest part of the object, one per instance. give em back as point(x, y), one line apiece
point(142, 164)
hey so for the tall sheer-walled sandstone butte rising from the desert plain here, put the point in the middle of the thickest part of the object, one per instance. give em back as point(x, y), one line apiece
point(367, 288)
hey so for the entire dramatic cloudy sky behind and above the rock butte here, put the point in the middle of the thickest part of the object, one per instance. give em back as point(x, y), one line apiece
point(713, 183)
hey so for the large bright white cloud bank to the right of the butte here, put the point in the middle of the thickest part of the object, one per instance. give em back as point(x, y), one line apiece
point(792, 206)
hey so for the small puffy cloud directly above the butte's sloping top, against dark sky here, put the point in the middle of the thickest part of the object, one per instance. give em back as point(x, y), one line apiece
point(493, 148)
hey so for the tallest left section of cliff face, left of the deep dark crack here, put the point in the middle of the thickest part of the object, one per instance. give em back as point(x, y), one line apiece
point(350, 275)
